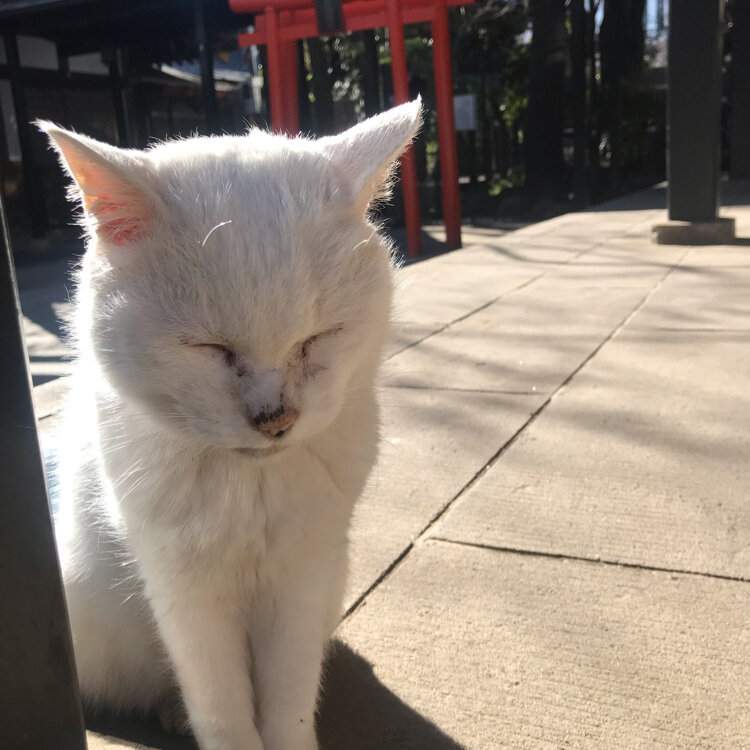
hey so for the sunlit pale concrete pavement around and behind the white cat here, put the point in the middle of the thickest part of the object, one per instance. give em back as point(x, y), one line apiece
point(554, 549)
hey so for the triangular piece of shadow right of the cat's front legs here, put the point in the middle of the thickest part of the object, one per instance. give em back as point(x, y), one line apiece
point(358, 712)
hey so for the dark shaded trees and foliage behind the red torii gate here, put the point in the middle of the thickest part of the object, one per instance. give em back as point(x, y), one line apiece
point(491, 51)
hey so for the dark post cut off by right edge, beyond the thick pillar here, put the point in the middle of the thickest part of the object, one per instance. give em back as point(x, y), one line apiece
point(739, 154)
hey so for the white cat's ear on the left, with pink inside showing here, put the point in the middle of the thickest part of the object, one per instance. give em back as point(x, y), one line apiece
point(118, 207)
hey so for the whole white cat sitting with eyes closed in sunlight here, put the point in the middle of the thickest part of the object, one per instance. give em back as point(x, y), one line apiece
point(231, 311)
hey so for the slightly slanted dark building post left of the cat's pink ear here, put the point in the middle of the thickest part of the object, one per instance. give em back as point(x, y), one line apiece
point(32, 185)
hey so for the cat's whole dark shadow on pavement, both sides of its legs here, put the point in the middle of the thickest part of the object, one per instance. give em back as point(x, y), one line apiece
point(357, 712)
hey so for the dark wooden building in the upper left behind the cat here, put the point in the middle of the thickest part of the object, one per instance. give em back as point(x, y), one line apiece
point(115, 71)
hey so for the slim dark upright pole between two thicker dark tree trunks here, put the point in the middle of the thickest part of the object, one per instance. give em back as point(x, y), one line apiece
point(580, 129)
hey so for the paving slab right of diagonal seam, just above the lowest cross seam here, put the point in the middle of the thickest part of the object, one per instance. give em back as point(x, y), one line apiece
point(641, 459)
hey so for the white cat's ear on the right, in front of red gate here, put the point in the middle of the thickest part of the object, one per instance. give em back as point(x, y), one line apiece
point(364, 156)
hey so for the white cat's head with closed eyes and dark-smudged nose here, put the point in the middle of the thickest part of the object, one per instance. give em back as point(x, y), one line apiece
point(233, 286)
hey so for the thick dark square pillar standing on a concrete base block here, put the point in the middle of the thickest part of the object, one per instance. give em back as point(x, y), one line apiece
point(694, 109)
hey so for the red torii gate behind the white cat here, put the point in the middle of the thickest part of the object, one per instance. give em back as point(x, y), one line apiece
point(279, 23)
